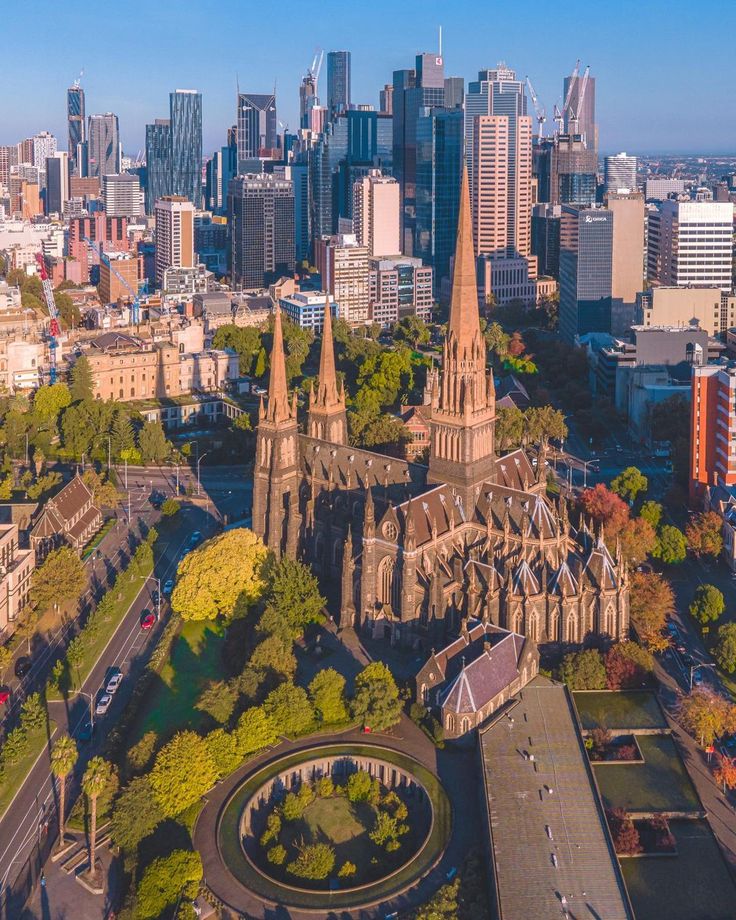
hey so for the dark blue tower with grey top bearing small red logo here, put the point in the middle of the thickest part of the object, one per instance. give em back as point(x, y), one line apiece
point(414, 91)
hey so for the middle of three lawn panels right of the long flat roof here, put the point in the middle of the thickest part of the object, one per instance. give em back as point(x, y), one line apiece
point(659, 784)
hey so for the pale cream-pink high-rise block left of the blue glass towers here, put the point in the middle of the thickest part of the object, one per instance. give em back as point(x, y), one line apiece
point(377, 213)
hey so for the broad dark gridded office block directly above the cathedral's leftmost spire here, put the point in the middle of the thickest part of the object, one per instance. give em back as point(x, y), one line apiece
point(261, 215)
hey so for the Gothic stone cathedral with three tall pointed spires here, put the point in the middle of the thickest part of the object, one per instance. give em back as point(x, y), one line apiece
point(412, 553)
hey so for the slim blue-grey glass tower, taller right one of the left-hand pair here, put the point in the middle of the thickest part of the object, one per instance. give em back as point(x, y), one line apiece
point(186, 144)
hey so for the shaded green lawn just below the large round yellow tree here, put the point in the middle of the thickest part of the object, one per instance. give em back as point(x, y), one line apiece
point(195, 661)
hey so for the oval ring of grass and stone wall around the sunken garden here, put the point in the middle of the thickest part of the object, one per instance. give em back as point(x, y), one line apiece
point(235, 837)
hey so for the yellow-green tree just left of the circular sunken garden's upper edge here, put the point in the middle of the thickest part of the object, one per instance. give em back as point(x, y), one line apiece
point(184, 770)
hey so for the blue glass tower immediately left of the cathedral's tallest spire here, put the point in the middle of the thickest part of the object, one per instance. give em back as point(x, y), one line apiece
point(439, 175)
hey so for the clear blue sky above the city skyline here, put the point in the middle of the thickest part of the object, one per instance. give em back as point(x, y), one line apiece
point(664, 76)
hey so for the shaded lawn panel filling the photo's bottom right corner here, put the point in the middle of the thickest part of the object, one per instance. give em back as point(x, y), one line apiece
point(694, 885)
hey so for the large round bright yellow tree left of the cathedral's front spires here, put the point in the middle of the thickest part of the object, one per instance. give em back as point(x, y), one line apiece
point(222, 578)
